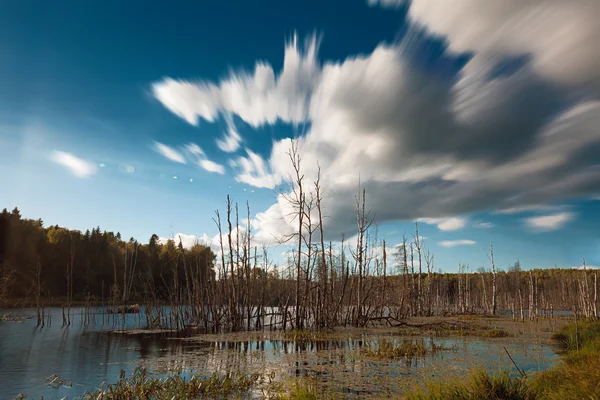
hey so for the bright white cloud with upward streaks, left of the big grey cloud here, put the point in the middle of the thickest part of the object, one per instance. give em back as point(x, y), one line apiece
point(257, 98)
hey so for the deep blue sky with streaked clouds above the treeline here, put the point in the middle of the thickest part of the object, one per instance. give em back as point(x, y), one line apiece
point(479, 120)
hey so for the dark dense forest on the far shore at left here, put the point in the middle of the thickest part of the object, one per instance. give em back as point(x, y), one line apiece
point(90, 262)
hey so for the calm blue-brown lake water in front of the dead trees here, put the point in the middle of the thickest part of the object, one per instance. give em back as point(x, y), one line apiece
point(88, 356)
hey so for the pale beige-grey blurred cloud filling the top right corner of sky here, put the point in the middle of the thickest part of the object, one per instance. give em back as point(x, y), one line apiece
point(560, 36)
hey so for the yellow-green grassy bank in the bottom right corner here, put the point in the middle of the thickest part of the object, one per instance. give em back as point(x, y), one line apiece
point(577, 376)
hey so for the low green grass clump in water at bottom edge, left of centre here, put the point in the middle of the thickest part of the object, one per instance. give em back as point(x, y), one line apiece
point(141, 386)
